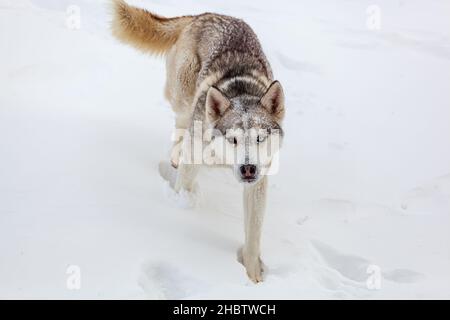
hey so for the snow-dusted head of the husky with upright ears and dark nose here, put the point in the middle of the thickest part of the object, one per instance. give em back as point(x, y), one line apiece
point(249, 127)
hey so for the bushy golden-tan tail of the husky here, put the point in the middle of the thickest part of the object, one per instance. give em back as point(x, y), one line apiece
point(144, 30)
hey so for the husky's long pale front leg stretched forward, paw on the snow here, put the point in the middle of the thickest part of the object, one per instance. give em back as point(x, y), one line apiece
point(254, 207)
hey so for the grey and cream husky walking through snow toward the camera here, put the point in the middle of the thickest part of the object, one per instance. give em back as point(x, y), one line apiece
point(226, 103)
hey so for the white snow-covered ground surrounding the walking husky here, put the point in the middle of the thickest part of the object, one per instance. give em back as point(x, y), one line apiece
point(363, 192)
